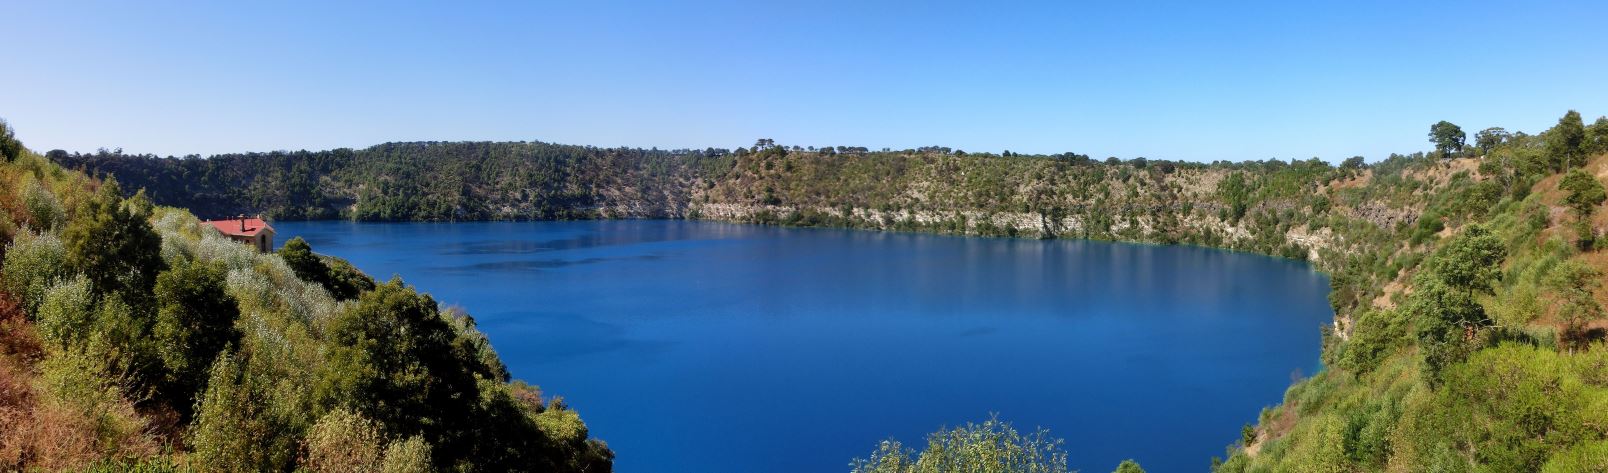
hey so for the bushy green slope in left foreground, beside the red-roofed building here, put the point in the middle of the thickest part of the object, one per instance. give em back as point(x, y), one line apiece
point(131, 337)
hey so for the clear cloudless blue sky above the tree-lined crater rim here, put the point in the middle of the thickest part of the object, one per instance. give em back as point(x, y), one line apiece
point(1157, 80)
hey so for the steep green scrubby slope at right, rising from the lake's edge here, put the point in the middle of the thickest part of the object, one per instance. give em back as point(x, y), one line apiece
point(1487, 355)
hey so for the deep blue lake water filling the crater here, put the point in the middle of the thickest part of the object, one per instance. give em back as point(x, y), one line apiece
point(694, 347)
